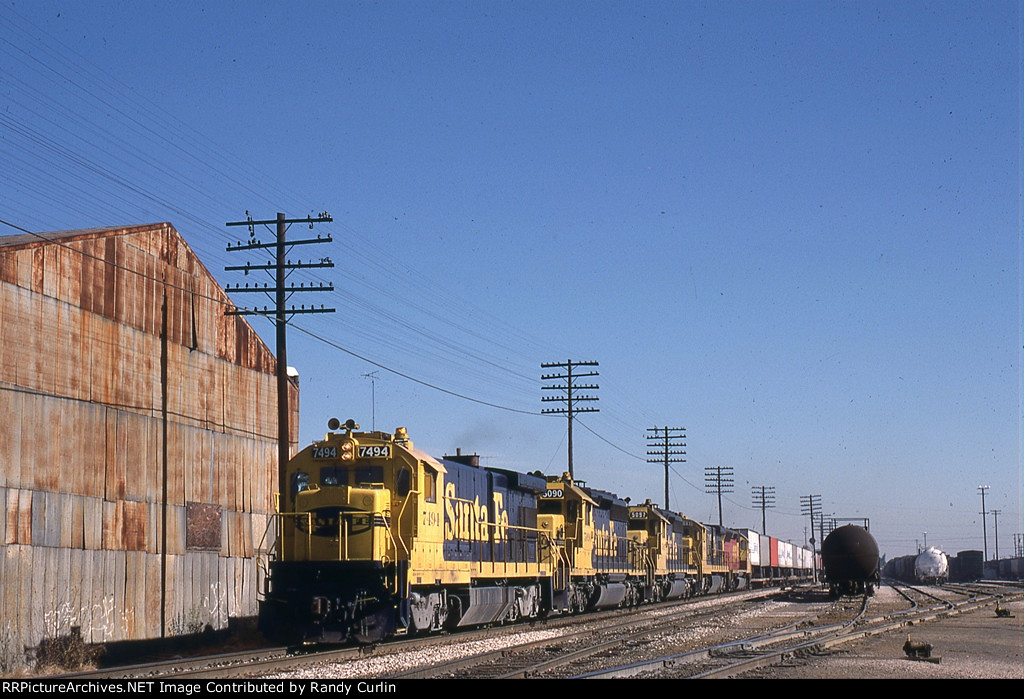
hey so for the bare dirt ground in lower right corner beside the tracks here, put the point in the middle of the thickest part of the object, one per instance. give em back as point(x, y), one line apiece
point(973, 646)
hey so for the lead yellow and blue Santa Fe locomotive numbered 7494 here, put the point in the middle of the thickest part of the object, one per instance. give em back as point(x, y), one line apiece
point(376, 538)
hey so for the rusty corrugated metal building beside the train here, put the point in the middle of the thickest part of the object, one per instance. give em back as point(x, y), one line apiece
point(138, 440)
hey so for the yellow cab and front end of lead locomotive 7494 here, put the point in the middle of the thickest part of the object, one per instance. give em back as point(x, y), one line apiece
point(345, 527)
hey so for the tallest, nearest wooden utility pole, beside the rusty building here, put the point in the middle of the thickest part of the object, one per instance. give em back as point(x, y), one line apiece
point(280, 292)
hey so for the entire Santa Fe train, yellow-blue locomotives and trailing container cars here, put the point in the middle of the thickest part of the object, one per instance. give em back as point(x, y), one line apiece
point(377, 539)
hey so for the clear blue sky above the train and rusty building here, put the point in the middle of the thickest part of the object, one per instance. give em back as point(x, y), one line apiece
point(792, 228)
